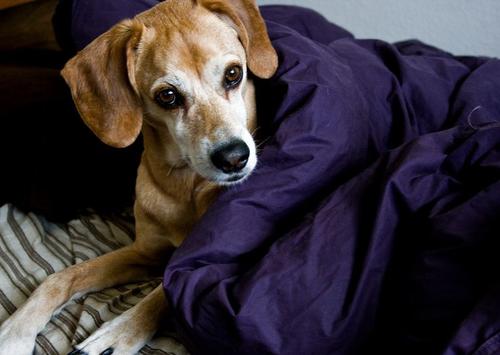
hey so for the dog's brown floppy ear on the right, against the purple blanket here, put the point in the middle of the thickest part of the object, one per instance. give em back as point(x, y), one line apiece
point(261, 56)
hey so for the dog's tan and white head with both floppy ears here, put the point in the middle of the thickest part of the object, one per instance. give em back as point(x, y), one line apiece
point(180, 69)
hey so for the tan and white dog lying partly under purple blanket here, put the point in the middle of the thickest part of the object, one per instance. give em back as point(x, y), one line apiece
point(180, 73)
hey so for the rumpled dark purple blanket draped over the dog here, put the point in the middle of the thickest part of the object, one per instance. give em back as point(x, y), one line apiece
point(372, 224)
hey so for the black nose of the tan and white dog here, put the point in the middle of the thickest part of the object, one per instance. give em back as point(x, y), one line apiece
point(231, 157)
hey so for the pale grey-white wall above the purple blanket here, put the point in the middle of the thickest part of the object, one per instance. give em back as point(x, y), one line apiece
point(459, 26)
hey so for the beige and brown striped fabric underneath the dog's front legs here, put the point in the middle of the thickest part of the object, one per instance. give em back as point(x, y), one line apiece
point(31, 248)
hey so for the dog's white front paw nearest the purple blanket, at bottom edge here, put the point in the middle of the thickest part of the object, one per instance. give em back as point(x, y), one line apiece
point(123, 335)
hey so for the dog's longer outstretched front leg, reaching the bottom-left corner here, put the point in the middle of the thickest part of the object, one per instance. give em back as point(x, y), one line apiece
point(18, 333)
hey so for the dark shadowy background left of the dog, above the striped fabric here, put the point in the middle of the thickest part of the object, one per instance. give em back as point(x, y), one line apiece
point(51, 162)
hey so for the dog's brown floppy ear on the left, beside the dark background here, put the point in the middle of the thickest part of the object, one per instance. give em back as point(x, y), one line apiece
point(102, 82)
